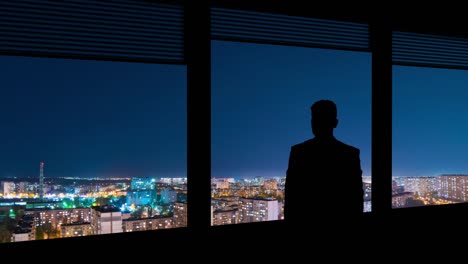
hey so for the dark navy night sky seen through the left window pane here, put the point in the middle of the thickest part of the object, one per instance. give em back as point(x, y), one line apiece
point(92, 118)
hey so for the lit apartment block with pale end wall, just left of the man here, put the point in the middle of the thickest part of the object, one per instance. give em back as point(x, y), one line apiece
point(258, 209)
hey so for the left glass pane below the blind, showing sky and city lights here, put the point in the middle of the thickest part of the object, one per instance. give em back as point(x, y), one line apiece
point(90, 148)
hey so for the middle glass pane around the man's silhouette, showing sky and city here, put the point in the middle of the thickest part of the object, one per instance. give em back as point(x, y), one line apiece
point(261, 98)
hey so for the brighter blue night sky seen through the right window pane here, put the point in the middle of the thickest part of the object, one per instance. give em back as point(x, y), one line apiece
point(430, 121)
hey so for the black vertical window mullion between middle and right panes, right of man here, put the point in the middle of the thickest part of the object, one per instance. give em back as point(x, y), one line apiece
point(381, 47)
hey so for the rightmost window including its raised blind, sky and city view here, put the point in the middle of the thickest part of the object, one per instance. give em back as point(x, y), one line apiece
point(429, 123)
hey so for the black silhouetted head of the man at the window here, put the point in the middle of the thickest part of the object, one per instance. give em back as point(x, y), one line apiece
point(324, 118)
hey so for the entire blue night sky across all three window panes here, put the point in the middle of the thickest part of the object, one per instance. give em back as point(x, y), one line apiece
point(107, 119)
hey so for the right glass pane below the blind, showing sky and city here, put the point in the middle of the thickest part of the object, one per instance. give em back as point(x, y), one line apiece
point(429, 136)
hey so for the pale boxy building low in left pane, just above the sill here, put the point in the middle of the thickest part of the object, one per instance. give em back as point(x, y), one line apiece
point(106, 220)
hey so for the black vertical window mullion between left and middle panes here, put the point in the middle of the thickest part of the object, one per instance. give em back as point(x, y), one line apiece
point(198, 60)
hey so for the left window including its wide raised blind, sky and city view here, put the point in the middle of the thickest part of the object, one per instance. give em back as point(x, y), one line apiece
point(97, 145)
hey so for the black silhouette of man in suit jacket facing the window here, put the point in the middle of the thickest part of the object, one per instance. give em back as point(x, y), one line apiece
point(324, 176)
